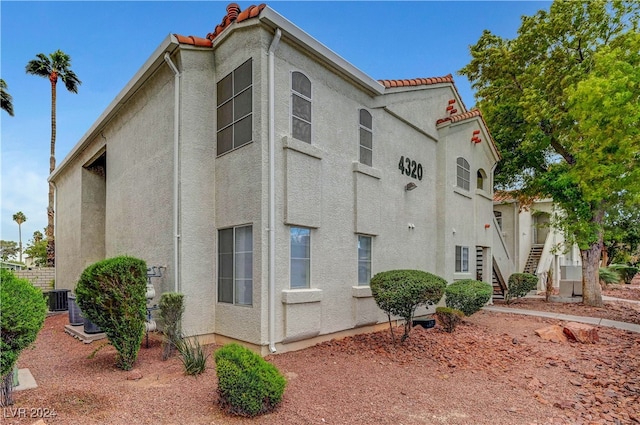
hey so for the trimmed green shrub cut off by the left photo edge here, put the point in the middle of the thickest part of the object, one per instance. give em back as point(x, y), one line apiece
point(23, 312)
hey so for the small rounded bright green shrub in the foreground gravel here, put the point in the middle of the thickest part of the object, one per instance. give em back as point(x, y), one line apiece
point(247, 384)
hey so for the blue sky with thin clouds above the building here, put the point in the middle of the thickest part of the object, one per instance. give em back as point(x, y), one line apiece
point(109, 41)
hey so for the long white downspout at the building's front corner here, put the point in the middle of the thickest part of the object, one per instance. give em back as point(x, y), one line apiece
point(272, 196)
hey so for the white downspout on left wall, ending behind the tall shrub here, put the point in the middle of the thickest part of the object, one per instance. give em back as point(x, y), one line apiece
point(176, 173)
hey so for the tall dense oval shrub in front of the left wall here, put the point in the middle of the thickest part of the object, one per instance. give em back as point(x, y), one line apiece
point(111, 293)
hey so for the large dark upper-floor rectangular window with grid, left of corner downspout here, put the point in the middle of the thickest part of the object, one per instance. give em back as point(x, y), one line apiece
point(234, 114)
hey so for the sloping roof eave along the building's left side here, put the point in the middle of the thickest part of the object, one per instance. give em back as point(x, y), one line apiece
point(168, 45)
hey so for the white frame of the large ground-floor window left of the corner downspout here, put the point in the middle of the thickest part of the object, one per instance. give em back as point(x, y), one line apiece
point(236, 279)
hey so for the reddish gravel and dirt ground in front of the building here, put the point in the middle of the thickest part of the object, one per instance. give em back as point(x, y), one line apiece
point(492, 370)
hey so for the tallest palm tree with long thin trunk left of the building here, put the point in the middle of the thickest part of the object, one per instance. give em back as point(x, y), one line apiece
point(56, 65)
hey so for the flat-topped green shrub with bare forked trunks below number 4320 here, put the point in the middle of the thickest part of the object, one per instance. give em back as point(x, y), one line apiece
point(400, 292)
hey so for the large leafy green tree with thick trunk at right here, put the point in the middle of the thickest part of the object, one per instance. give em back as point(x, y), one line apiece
point(562, 101)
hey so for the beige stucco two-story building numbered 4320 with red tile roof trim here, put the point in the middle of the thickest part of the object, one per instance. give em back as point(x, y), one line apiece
point(272, 179)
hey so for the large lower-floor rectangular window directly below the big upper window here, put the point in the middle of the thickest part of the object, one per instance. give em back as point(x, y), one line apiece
point(235, 265)
